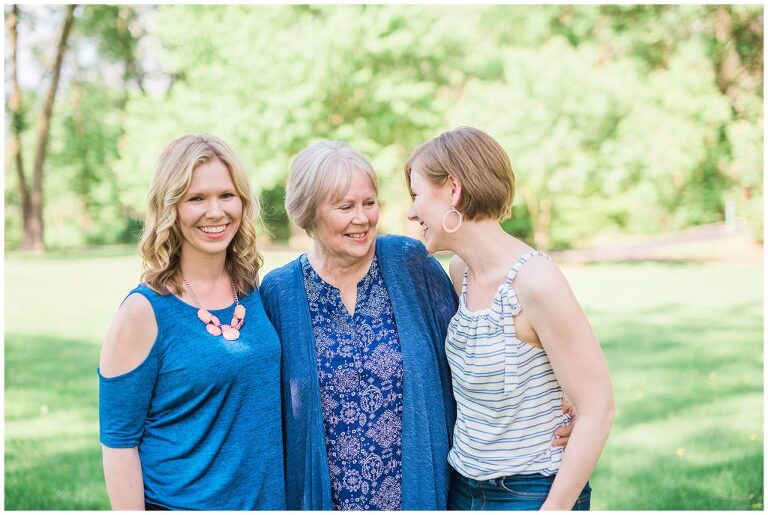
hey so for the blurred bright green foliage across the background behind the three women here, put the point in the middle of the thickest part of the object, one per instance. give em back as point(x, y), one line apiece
point(623, 118)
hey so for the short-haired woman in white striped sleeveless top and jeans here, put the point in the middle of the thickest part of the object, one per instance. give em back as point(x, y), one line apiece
point(518, 341)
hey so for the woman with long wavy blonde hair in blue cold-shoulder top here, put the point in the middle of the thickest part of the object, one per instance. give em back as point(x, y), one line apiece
point(189, 376)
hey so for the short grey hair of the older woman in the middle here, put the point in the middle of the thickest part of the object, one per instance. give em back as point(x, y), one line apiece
point(320, 172)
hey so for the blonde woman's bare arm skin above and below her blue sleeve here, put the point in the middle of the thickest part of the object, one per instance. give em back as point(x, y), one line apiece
point(126, 346)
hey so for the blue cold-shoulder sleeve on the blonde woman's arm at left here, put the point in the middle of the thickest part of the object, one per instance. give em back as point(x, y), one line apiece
point(124, 403)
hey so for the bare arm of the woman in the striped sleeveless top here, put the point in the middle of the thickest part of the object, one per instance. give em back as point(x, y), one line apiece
point(580, 368)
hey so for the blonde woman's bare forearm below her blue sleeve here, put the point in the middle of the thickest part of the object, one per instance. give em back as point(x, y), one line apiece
point(122, 473)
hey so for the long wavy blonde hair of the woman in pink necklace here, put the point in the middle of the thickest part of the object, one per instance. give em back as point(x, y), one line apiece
point(160, 244)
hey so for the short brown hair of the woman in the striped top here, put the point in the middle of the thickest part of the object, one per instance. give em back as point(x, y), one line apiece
point(477, 162)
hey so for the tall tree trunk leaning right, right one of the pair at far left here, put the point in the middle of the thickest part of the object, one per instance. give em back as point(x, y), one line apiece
point(33, 227)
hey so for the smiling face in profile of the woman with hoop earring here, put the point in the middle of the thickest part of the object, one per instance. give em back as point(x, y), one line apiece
point(430, 204)
